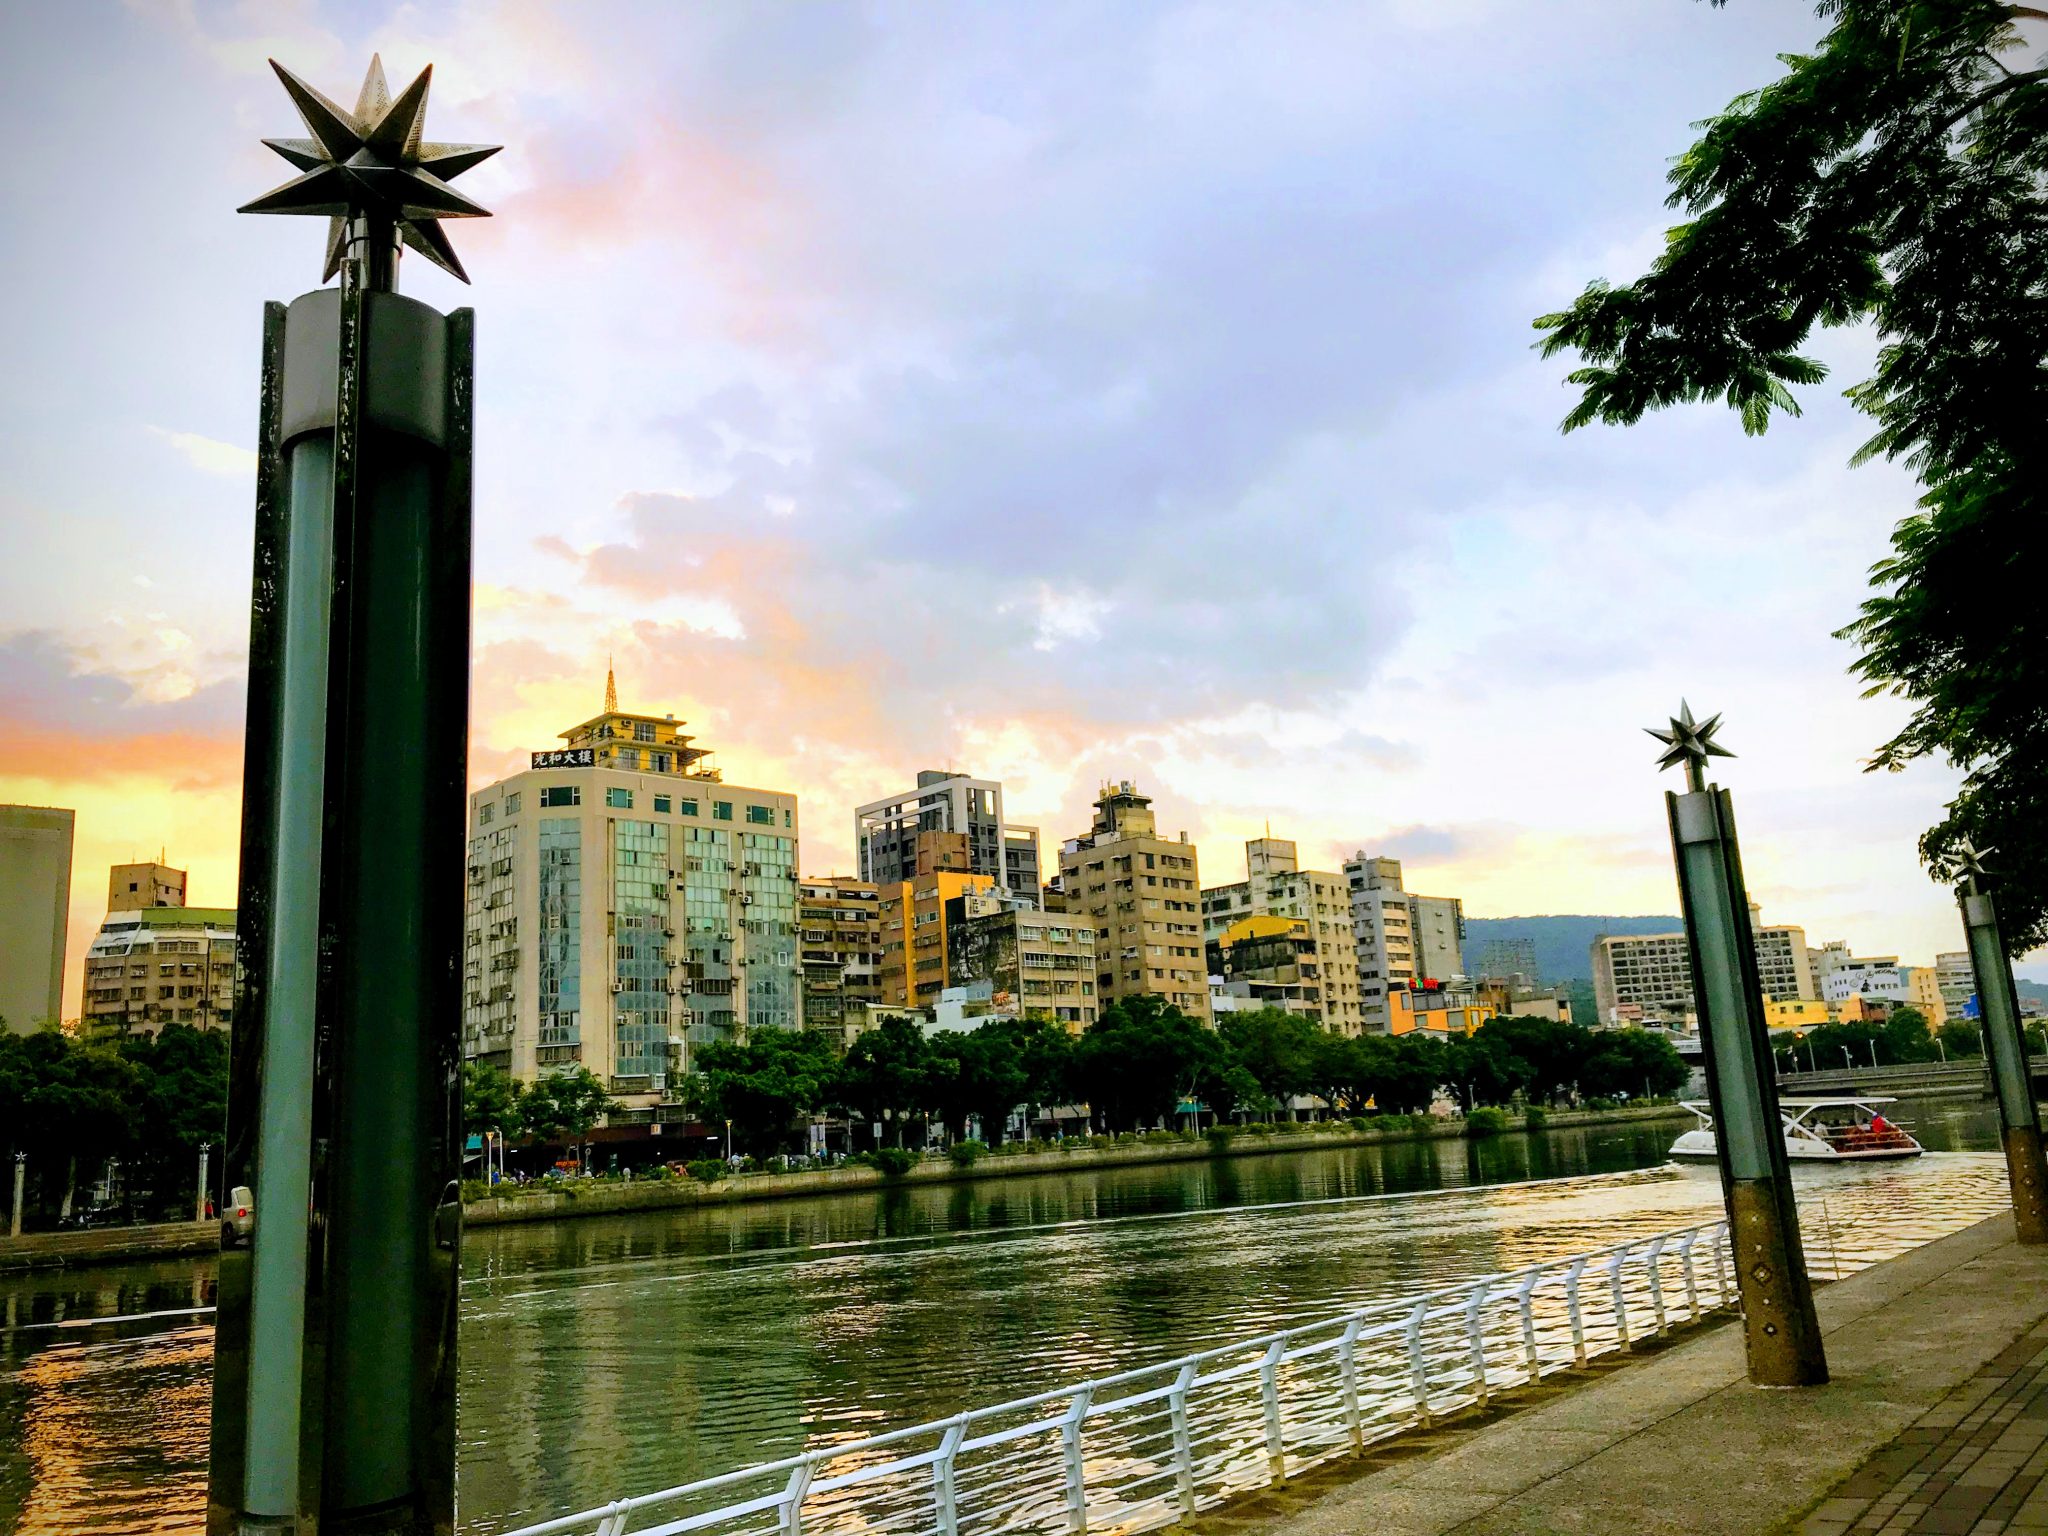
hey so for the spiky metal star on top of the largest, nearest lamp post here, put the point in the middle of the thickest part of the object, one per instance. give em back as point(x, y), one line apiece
point(374, 167)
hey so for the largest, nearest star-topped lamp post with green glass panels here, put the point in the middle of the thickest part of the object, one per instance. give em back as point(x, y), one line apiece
point(335, 1347)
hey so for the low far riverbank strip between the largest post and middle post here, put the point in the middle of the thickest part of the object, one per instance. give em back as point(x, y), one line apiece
point(607, 1199)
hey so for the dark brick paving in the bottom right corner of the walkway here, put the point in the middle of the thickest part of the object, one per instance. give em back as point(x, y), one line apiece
point(1973, 1465)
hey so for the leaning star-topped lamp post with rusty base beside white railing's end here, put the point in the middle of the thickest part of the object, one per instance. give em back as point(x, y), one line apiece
point(1781, 1330)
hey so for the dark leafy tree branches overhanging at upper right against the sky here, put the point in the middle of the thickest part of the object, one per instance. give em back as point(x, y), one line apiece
point(1893, 175)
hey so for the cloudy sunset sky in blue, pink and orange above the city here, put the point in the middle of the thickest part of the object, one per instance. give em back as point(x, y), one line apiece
point(1050, 392)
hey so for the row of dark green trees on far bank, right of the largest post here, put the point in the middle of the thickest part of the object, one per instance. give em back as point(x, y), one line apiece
point(1144, 1066)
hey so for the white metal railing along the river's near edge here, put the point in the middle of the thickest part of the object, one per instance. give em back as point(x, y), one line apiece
point(1148, 1447)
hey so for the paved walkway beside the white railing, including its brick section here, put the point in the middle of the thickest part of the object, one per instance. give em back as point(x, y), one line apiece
point(1682, 1445)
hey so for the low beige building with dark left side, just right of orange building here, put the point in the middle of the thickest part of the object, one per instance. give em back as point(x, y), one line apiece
point(1033, 964)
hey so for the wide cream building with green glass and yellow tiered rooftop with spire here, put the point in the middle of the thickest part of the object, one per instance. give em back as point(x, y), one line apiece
point(628, 906)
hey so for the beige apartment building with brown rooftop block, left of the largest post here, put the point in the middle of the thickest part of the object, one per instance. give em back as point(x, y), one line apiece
point(159, 962)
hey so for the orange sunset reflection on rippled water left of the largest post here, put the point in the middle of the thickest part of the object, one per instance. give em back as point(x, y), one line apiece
point(116, 1435)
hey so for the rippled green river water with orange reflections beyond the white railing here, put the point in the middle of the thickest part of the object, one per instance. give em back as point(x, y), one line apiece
point(613, 1357)
